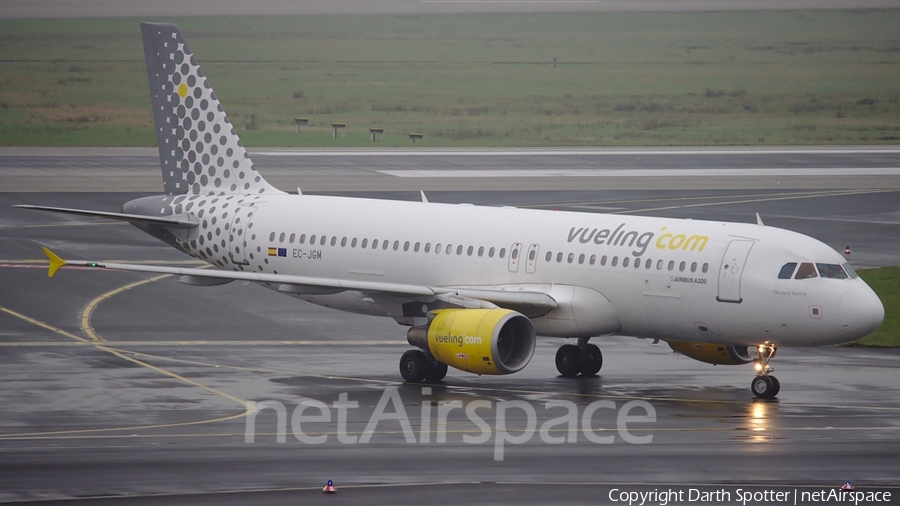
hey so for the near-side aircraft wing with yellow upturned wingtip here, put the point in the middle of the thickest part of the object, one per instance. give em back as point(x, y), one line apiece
point(297, 284)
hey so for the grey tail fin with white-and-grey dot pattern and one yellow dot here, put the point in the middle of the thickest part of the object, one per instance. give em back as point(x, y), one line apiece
point(199, 150)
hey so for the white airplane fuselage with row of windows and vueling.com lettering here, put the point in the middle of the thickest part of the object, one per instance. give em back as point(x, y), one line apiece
point(673, 279)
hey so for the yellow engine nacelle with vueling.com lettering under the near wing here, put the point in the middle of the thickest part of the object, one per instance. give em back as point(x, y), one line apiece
point(480, 341)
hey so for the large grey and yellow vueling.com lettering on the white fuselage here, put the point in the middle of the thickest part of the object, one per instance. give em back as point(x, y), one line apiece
point(638, 240)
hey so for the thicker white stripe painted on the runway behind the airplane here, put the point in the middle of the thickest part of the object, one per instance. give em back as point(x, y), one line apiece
point(742, 172)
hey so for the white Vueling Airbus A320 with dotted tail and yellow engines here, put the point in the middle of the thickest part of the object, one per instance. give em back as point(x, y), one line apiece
point(476, 285)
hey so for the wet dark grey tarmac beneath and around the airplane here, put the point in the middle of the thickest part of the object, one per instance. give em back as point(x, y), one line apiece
point(153, 413)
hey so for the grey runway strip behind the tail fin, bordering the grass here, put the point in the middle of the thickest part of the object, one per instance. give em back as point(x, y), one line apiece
point(137, 169)
